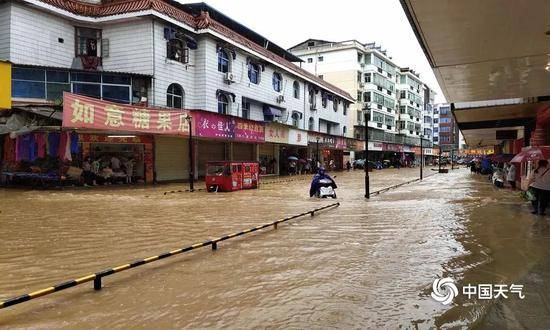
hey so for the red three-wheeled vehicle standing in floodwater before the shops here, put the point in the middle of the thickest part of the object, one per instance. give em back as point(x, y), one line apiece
point(231, 176)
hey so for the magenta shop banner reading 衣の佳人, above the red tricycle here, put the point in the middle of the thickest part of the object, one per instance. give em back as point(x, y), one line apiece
point(224, 127)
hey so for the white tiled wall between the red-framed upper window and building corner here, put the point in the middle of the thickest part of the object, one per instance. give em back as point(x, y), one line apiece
point(130, 46)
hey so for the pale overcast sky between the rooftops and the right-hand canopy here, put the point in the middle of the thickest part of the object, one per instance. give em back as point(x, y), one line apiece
point(289, 22)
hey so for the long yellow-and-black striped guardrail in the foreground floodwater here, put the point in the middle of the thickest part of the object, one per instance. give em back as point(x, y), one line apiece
point(97, 277)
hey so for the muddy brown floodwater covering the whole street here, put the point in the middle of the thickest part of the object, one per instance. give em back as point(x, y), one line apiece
point(365, 264)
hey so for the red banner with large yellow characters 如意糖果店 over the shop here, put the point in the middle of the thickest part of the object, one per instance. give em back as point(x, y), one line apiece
point(86, 112)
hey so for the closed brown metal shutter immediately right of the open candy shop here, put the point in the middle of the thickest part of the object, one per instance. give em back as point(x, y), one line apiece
point(171, 158)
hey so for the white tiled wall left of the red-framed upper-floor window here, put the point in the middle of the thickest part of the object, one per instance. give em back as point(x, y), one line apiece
point(34, 38)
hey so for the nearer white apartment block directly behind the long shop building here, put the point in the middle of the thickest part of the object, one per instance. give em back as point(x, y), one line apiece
point(364, 71)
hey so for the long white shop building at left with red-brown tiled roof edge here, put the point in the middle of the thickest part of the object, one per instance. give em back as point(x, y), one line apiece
point(162, 54)
